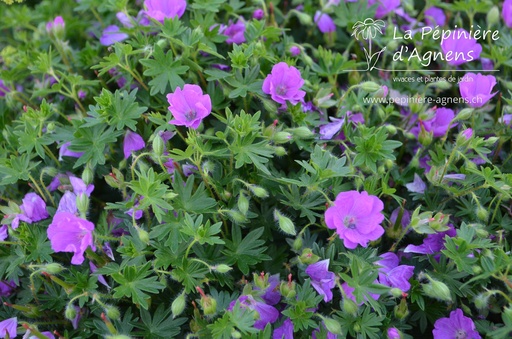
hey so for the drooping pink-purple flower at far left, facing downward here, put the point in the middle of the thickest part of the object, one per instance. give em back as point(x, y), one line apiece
point(69, 233)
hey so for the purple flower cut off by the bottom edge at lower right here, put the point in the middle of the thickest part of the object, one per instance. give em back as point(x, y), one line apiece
point(456, 326)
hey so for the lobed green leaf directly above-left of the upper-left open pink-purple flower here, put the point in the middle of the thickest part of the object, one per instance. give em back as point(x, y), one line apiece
point(165, 71)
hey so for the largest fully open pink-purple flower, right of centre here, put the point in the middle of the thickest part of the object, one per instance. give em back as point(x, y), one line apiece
point(356, 218)
